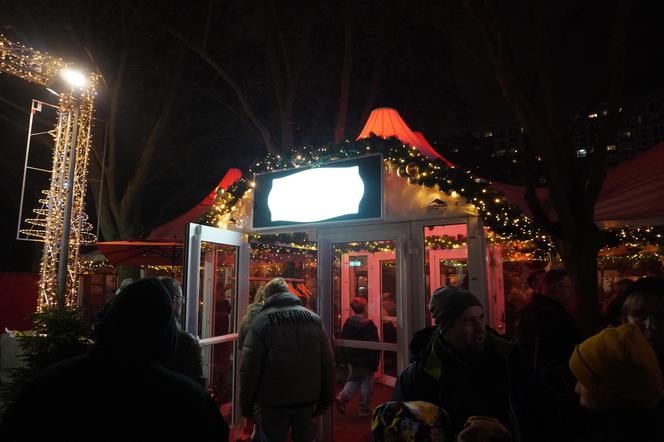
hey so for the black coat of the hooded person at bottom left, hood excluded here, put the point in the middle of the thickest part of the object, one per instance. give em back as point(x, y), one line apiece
point(100, 397)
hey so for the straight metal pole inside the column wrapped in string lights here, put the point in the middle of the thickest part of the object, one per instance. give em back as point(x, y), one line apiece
point(66, 221)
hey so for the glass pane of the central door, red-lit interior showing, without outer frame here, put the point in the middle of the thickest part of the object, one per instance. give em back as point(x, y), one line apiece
point(365, 312)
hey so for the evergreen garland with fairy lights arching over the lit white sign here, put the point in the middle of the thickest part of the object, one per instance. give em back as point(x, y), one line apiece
point(505, 221)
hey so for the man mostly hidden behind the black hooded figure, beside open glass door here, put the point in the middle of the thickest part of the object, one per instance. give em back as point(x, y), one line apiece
point(187, 360)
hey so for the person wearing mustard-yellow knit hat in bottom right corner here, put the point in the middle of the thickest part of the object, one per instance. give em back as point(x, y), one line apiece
point(620, 385)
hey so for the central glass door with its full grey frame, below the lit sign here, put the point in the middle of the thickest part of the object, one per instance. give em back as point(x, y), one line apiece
point(365, 303)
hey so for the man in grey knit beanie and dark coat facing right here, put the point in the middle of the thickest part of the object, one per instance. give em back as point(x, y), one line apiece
point(455, 370)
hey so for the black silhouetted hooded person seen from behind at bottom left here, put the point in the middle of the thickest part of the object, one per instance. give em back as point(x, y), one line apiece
point(121, 389)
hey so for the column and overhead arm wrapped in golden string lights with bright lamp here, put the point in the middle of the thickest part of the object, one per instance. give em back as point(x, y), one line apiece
point(62, 223)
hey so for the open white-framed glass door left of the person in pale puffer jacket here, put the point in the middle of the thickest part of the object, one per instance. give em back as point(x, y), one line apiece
point(216, 289)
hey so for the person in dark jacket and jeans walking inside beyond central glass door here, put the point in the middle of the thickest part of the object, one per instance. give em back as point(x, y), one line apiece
point(362, 363)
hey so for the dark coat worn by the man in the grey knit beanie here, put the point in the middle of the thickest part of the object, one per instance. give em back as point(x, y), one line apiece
point(464, 384)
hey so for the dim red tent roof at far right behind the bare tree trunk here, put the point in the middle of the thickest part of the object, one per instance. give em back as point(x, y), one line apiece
point(633, 192)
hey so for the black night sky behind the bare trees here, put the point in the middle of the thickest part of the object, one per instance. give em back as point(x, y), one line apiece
point(434, 72)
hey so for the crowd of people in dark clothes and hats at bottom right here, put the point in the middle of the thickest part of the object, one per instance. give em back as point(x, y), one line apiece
point(546, 384)
